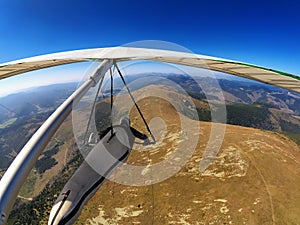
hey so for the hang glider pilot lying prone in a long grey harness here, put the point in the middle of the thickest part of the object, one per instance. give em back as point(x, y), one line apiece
point(113, 148)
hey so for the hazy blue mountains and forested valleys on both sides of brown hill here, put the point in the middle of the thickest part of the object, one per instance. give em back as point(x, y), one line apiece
point(248, 103)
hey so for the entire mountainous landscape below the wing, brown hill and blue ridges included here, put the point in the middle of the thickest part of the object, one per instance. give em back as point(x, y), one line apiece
point(254, 179)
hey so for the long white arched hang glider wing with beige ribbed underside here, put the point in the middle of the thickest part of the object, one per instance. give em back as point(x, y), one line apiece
point(265, 75)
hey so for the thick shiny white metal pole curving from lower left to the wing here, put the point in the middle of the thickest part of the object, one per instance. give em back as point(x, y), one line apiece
point(17, 172)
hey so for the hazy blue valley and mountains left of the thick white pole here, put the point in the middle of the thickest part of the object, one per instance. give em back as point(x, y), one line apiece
point(21, 114)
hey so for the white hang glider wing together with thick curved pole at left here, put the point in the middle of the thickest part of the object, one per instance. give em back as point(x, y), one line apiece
point(21, 166)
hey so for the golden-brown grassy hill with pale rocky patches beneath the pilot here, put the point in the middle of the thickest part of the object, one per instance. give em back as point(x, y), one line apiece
point(255, 178)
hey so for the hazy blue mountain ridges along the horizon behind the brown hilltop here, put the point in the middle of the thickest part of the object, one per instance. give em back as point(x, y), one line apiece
point(239, 91)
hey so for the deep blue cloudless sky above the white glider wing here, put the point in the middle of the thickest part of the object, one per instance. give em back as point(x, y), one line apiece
point(265, 33)
